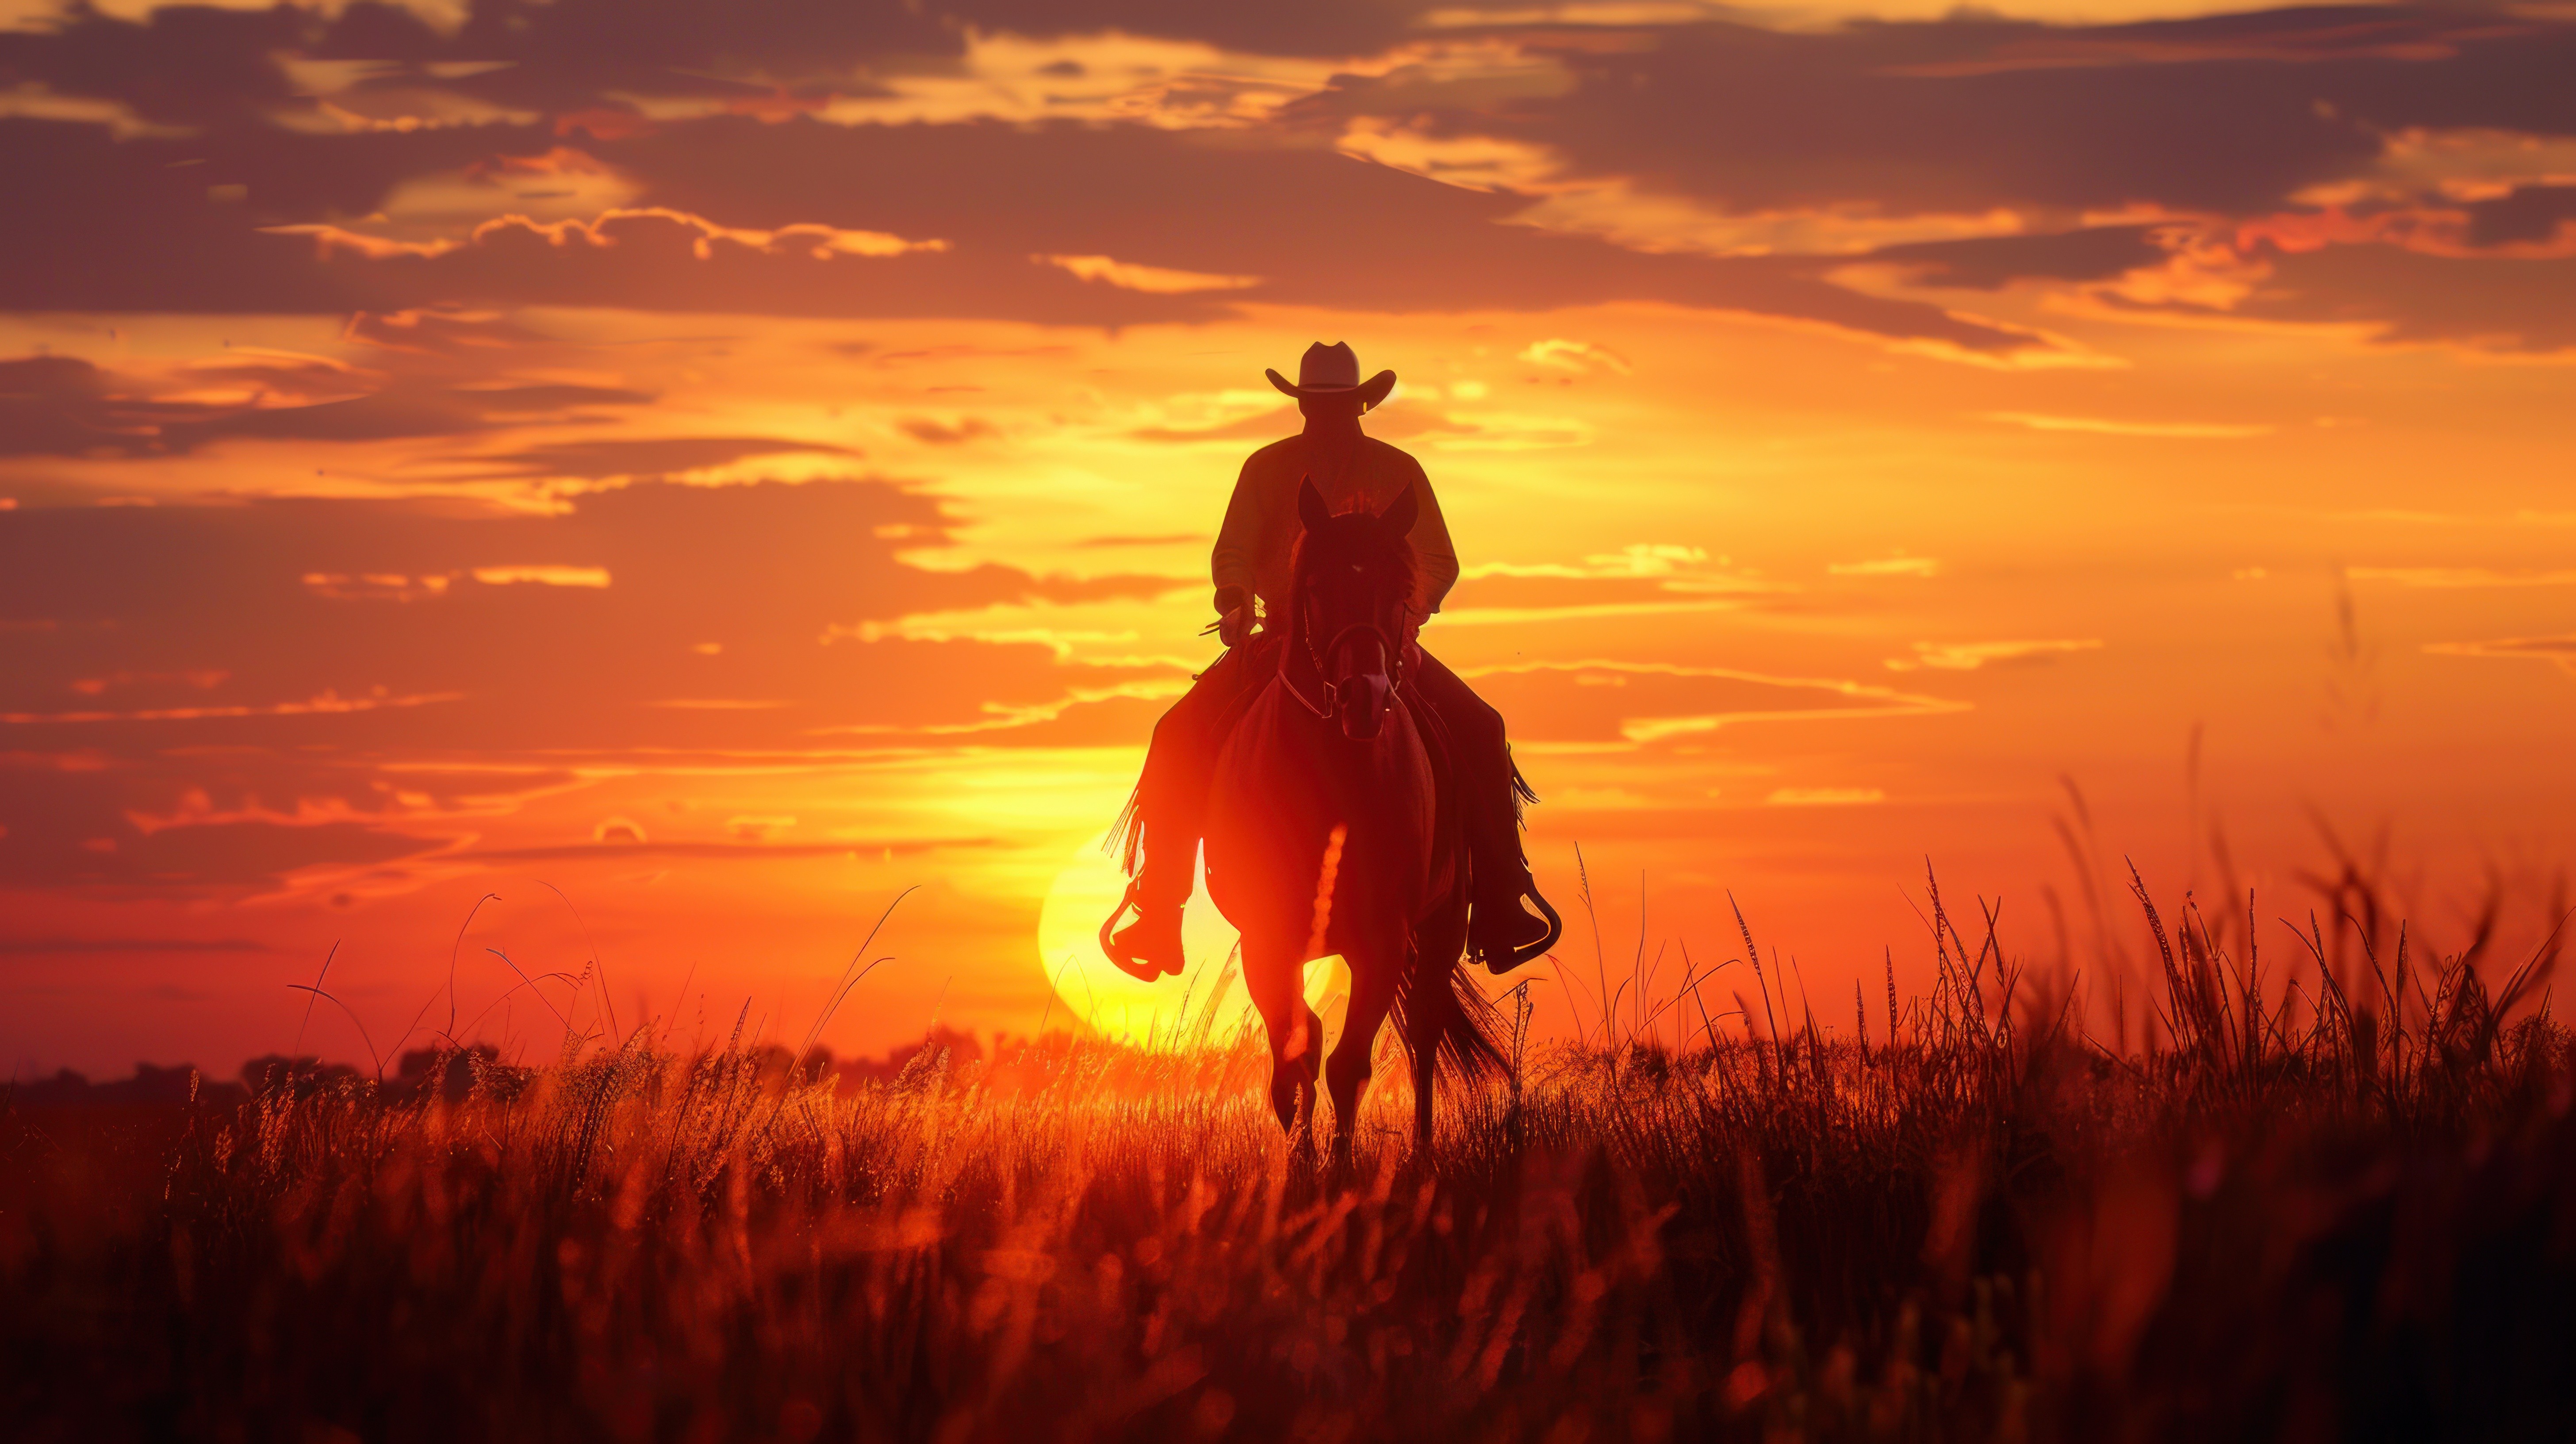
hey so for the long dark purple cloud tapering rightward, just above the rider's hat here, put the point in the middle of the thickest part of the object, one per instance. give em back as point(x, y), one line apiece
point(1284, 213)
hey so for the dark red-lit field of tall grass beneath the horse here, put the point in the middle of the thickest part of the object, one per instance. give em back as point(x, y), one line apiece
point(2325, 1200)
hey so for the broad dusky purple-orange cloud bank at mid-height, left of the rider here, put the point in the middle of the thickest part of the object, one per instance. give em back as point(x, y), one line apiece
point(249, 723)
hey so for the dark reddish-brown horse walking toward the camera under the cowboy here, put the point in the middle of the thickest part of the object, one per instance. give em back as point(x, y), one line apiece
point(1331, 832)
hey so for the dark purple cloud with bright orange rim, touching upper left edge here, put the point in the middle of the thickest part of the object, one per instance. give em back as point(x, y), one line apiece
point(125, 239)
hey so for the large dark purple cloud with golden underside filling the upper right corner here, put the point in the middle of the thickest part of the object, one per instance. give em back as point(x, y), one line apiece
point(2286, 146)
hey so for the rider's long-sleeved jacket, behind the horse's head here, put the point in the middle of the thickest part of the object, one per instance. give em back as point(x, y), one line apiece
point(1258, 543)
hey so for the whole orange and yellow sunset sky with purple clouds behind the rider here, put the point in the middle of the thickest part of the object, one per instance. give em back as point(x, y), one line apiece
point(625, 491)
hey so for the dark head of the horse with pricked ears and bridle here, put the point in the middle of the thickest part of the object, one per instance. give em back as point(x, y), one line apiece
point(1354, 587)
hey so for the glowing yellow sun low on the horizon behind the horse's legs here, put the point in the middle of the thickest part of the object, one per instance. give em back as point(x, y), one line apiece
point(1204, 1004)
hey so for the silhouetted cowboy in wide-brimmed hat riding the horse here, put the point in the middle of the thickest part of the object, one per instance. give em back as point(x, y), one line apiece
point(1253, 563)
